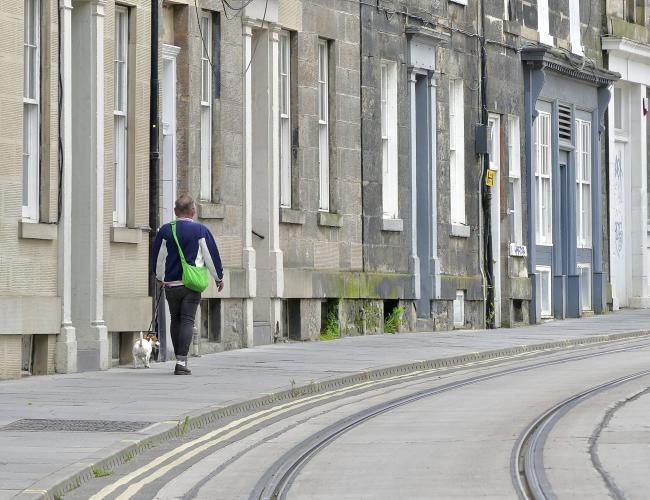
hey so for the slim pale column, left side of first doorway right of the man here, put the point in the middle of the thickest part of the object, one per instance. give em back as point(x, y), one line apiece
point(247, 225)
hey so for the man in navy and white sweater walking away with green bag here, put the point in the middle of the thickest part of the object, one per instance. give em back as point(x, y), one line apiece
point(200, 250)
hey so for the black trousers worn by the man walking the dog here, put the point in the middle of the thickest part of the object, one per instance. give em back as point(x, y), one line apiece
point(183, 304)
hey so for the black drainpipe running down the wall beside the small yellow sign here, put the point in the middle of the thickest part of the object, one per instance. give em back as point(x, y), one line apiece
point(486, 193)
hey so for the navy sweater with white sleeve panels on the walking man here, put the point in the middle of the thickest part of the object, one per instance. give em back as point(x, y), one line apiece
point(198, 245)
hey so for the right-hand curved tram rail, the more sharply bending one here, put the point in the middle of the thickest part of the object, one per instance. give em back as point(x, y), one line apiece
point(527, 465)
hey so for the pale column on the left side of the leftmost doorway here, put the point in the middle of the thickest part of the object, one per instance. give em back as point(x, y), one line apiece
point(66, 345)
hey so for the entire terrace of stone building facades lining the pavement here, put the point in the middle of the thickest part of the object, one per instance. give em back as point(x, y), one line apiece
point(447, 158)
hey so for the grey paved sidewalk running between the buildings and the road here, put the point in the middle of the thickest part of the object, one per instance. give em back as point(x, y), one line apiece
point(54, 430)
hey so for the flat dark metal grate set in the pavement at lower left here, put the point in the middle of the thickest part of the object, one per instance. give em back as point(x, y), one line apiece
point(51, 425)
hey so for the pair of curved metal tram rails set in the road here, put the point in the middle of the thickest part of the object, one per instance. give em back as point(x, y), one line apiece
point(278, 479)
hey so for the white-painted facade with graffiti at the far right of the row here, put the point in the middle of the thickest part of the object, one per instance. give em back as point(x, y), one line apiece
point(626, 48)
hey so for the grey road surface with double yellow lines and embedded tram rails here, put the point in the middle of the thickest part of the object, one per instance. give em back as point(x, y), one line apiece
point(455, 441)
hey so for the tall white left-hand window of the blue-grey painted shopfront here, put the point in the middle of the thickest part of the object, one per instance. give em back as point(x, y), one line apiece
point(543, 188)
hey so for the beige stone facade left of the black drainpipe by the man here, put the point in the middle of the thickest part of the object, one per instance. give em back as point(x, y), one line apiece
point(75, 230)
